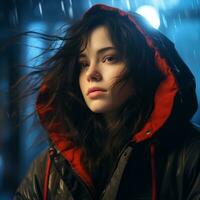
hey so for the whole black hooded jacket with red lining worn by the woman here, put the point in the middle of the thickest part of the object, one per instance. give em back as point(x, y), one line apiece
point(161, 162)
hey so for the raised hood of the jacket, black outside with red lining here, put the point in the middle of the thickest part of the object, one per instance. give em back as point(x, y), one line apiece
point(172, 87)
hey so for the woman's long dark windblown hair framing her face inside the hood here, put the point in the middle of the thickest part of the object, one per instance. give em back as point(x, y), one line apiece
point(101, 142)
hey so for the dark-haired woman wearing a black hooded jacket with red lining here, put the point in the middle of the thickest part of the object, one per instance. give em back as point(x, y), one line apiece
point(116, 103)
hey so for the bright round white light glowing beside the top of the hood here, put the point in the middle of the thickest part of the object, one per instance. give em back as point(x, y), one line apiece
point(151, 14)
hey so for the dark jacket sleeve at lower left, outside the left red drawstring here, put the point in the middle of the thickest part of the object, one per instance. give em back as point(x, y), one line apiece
point(31, 186)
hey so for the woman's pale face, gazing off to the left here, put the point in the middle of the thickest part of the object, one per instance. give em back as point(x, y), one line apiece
point(101, 67)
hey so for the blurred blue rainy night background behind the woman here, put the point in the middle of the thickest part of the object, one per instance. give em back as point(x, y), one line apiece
point(20, 140)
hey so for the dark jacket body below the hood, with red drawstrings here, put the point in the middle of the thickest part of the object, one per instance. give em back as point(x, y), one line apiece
point(159, 171)
